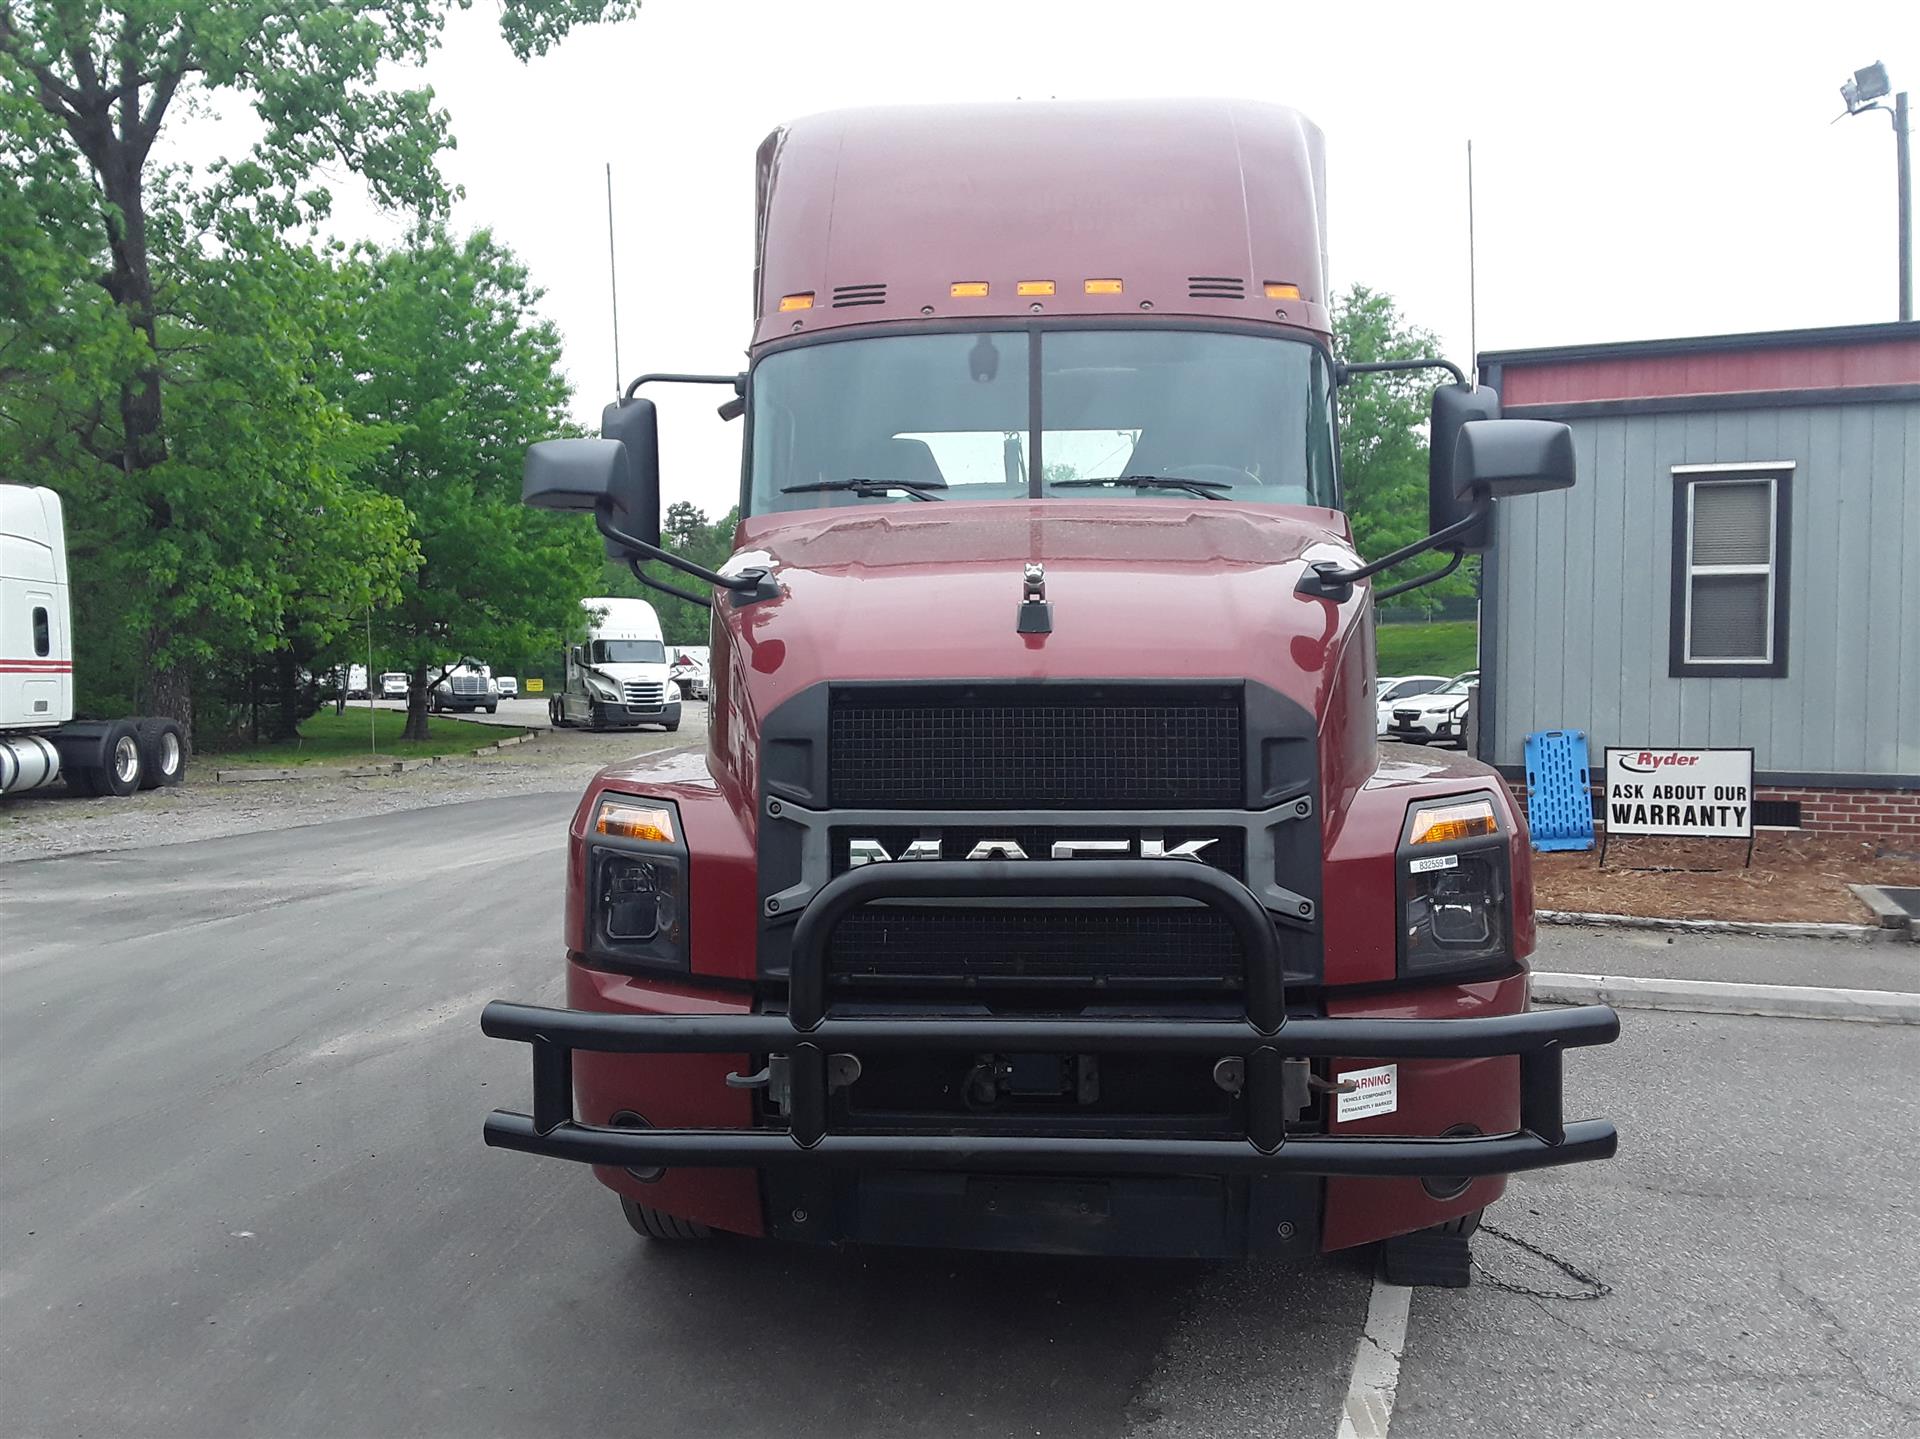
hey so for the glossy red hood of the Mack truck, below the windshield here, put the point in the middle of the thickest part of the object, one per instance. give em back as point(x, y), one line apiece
point(1159, 589)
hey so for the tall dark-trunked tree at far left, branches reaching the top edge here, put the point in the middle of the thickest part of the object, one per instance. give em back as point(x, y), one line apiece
point(85, 91)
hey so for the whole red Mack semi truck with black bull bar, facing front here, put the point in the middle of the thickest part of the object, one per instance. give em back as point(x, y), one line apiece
point(1047, 885)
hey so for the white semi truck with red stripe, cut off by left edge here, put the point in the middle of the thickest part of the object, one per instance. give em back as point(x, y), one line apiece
point(39, 739)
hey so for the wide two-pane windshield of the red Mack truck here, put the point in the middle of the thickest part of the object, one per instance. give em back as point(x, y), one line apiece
point(1239, 416)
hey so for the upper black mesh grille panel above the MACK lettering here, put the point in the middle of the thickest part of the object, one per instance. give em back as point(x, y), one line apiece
point(1101, 750)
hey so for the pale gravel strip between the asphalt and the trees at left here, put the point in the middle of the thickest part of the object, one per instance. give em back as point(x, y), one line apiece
point(55, 823)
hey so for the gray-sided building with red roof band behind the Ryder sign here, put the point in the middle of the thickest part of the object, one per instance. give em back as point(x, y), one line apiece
point(1739, 564)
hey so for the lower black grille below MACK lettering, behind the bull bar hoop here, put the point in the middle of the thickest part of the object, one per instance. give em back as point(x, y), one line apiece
point(957, 946)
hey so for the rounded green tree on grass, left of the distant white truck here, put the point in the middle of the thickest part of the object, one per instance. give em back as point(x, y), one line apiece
point(448, 358)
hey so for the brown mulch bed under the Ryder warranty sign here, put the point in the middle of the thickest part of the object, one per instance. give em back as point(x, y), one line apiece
point(1796, 879)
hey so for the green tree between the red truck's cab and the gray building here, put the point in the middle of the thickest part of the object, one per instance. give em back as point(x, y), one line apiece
point(1383, 435)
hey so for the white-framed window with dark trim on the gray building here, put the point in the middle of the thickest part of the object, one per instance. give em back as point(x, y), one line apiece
point(1731, 570)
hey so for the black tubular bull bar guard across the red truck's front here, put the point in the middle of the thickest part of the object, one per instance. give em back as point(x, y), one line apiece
point(1270, 1046)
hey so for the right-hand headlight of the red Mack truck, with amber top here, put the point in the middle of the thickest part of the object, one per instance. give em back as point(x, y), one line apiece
point(1454, 894)
